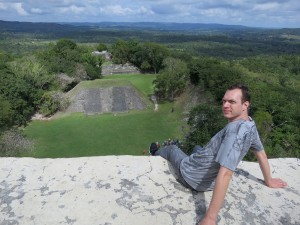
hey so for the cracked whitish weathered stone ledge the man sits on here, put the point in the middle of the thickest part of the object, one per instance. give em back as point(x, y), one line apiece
point(121, 190)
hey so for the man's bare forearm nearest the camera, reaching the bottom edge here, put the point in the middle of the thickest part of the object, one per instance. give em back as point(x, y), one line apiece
point(221, 186)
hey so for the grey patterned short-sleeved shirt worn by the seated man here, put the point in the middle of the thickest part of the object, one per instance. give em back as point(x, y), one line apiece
point(227, 148)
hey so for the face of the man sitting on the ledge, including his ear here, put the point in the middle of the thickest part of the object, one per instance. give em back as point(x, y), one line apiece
point(233, 108)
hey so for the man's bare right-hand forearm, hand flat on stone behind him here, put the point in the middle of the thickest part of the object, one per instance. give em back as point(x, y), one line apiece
point(265, 168)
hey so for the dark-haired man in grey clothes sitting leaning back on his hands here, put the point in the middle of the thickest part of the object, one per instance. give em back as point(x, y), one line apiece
point(211, 167)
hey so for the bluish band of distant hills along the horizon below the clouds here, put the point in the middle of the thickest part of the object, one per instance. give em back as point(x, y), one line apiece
point(38, 27)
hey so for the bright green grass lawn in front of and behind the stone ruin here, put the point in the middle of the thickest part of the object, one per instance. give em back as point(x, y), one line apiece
point(130, 133)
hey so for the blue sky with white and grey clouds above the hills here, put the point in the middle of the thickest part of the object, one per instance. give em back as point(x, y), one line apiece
point(254, 13)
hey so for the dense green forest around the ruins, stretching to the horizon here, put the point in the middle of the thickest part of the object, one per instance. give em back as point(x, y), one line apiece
point(35, 58)
